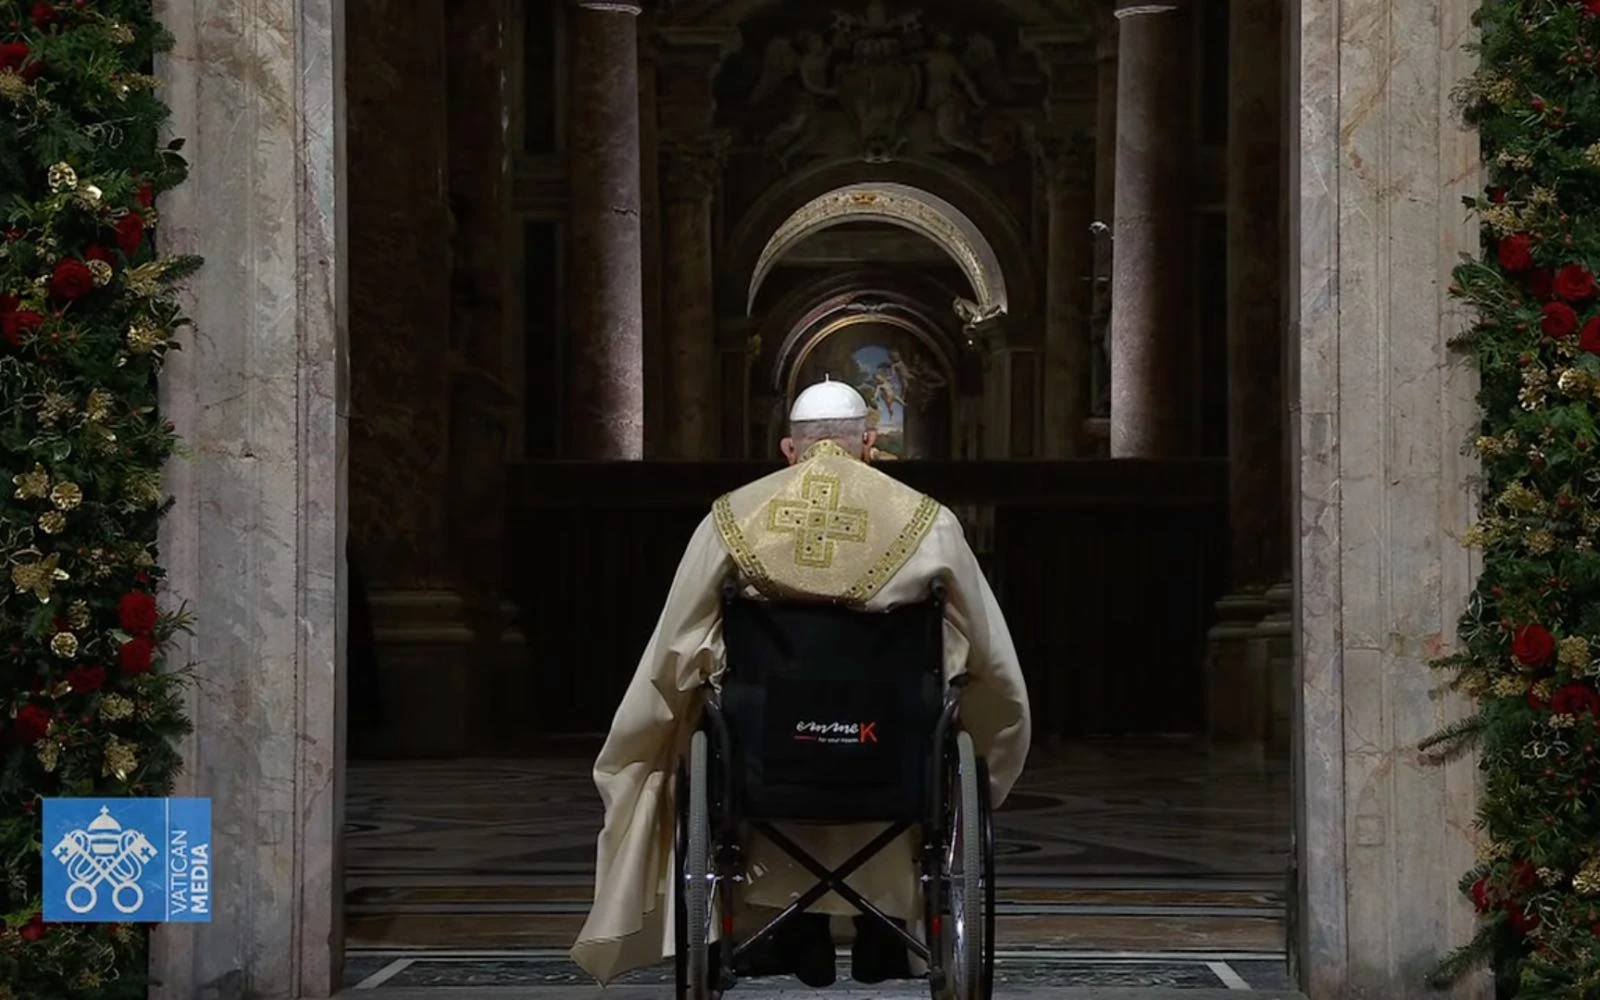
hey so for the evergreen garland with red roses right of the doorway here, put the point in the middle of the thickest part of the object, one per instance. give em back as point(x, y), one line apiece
point(1532, 633)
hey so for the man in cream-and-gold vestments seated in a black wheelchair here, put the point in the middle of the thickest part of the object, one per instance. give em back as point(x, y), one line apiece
point(815, 738)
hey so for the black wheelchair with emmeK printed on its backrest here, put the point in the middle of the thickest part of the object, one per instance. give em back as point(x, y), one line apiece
point(831, 716)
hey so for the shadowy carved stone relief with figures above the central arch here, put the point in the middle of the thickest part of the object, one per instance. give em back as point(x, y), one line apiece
point(890, 84)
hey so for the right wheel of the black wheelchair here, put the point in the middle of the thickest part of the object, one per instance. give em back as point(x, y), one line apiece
point(969, 878)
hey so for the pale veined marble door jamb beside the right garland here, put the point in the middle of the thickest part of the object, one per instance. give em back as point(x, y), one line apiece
point(1382, 490)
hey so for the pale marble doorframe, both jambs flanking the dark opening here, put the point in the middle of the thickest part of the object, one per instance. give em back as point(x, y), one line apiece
point(260, 394)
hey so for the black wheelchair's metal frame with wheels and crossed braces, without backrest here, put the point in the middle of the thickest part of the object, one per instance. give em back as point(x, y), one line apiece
point(959, 967)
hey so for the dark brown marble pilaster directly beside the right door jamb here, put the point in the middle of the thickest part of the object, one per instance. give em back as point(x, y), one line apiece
point(1255, 316)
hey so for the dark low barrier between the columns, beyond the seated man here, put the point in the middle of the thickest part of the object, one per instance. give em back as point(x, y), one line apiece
point(1106, 570)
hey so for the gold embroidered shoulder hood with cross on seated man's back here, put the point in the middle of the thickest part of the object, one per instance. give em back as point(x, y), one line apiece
point(830, 527)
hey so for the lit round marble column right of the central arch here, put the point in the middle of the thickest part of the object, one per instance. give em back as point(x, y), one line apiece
point(1151, 353)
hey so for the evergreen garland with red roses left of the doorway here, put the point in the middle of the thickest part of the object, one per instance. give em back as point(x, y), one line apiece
point(87, 314)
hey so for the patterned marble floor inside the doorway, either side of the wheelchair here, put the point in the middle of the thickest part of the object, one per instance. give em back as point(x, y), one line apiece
point(1121, 866)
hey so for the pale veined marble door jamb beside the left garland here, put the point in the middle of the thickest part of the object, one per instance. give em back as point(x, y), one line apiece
point(255, 546)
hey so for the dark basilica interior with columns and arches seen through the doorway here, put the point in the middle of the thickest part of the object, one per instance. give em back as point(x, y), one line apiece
point(596, 247)
